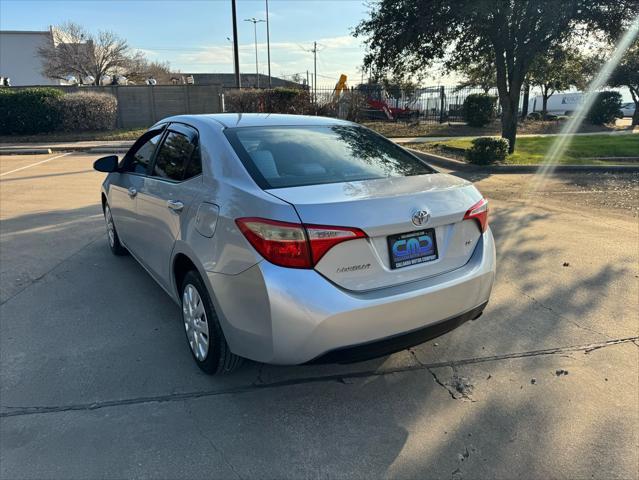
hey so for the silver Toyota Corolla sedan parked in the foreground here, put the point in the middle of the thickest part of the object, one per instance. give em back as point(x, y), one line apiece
point(291, 239)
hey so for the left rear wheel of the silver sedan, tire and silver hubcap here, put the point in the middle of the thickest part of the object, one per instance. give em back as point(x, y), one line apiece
point(202, 328)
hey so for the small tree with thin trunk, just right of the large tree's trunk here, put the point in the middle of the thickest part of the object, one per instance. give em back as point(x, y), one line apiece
point(554, 71)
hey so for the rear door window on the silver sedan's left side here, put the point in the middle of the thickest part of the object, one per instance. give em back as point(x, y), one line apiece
point(178, 158)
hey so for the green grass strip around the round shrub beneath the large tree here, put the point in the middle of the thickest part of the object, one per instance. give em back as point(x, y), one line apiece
point(582, 150)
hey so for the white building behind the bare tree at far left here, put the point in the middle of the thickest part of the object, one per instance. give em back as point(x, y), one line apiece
point(19, 58)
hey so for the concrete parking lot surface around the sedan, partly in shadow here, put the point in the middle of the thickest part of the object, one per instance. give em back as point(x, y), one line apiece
point(97, 380)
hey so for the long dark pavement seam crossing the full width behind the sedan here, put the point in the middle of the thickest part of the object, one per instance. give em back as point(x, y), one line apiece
point(340, 378)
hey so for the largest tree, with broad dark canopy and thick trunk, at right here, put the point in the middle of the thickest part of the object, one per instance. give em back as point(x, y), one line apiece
point(406, 36)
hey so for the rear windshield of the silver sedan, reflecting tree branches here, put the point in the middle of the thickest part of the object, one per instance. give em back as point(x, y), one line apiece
point(278, 157)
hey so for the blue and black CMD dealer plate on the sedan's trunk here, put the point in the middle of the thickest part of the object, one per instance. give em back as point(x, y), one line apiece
point(412, 248)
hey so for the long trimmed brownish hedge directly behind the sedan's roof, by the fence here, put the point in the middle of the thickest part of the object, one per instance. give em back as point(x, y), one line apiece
point(276, 100)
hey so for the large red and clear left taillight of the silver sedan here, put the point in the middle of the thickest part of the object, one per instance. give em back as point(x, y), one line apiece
point(293, 244)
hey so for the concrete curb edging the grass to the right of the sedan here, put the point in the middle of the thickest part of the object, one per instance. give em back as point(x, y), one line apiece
point(451, 164)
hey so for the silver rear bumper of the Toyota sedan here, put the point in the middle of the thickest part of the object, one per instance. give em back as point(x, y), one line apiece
point(290, 316)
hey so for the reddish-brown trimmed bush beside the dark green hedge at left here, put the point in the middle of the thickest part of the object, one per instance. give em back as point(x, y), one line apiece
point(87, 111)
